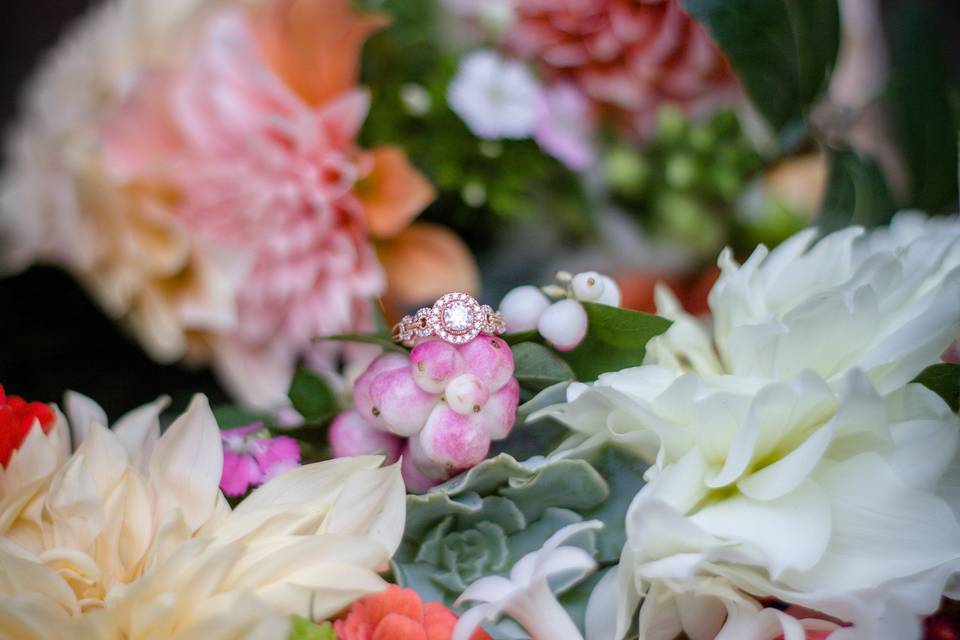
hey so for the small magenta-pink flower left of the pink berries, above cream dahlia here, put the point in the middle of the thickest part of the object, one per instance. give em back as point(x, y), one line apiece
point(251, 457)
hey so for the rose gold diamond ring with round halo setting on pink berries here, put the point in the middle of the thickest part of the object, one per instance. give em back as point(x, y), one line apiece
point(456, 318)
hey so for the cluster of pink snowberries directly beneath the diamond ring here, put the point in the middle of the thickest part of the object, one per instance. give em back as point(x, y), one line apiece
point(439, 406)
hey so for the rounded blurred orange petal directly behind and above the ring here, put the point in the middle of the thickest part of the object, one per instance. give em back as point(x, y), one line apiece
point(426, 261)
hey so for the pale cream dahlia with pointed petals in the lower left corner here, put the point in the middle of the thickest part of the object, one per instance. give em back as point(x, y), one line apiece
point(97, 548)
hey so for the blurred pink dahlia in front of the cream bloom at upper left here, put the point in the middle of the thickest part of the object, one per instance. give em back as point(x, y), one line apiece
point(254, 170)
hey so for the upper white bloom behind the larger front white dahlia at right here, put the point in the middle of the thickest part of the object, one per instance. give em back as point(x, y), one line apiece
point(886, 301)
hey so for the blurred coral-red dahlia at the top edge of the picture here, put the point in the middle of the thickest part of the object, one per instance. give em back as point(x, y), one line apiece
point(629, 56)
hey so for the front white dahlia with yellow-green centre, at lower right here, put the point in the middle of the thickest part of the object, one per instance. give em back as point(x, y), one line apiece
point(837, 501)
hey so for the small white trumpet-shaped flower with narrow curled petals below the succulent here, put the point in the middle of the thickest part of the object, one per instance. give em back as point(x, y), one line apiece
point(526, 595)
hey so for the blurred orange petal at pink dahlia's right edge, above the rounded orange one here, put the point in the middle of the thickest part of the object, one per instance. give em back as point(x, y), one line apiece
point(394, 192)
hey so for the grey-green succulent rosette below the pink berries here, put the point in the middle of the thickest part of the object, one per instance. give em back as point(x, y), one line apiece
point(481, 522)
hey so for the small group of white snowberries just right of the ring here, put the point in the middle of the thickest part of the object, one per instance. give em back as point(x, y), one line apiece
point(562, 323)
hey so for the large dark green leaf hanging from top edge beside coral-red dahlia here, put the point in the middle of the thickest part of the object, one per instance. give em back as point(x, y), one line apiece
point(782, 50)
